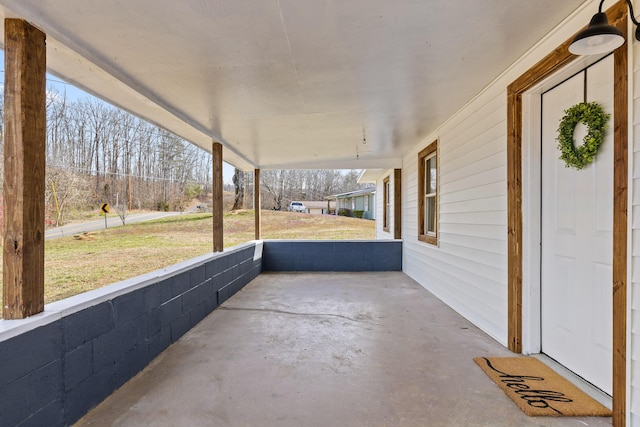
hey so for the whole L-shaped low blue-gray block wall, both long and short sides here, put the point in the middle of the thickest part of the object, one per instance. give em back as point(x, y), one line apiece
point(56, 366)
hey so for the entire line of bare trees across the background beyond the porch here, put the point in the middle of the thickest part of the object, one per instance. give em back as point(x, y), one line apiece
point(97, 153)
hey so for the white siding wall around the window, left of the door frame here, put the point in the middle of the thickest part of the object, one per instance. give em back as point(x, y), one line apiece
point(468, 270)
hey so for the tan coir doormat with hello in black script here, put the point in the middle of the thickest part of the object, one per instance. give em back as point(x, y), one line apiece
point(538, 390)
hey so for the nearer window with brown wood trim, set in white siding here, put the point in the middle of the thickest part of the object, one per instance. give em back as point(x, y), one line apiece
point(428, 194)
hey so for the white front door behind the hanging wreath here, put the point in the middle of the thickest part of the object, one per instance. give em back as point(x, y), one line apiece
point(576, 233)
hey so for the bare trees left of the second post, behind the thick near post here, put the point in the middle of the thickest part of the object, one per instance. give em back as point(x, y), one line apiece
point(97, 153)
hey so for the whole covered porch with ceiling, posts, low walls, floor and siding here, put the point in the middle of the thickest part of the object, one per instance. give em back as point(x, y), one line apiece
point(306, 85)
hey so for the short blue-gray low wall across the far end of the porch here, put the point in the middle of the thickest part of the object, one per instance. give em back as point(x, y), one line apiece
point(339, 255)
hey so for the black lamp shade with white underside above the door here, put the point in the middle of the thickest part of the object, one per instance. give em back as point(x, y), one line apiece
point(599, 37)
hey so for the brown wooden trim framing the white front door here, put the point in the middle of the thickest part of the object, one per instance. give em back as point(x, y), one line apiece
point(550, 64)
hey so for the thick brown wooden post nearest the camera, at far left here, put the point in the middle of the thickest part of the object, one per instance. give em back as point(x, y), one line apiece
point(24, 169)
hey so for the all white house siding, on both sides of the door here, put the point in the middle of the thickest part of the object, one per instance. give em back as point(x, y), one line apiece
point(468, 270)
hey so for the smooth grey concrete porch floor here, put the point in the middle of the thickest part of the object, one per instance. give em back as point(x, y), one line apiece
point(330, 349)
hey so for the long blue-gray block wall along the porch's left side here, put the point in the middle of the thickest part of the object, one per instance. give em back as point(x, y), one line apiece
point(54, 373)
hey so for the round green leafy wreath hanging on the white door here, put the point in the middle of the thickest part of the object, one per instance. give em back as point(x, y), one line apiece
point(592, 115)
